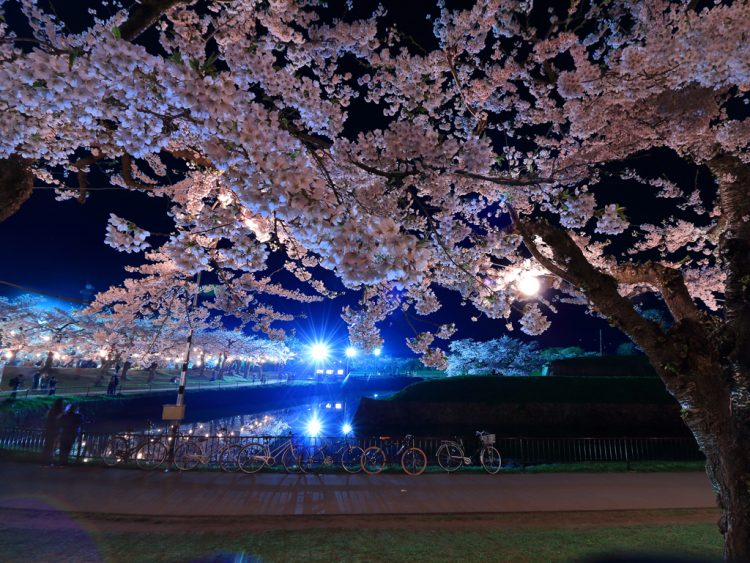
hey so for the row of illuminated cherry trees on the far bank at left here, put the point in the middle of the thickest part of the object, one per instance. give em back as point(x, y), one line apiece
point(31, 331)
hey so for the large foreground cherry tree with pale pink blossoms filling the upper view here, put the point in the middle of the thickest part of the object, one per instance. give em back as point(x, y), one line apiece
point(600, 147)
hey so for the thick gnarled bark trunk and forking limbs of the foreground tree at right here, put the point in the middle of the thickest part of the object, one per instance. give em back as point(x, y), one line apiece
point(704, 361)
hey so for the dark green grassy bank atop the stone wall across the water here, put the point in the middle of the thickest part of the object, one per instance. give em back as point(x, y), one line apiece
point(498, 390)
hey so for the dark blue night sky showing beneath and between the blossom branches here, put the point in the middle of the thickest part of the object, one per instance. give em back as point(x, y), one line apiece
point(58, 247)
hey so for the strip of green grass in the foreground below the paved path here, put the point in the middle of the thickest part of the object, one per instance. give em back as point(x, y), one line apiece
point(443, 544)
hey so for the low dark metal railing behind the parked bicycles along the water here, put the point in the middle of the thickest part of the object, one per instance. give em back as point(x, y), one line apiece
point(515, 451)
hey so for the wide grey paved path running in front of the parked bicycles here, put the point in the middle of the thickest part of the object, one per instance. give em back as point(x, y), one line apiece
point(115, 491)
